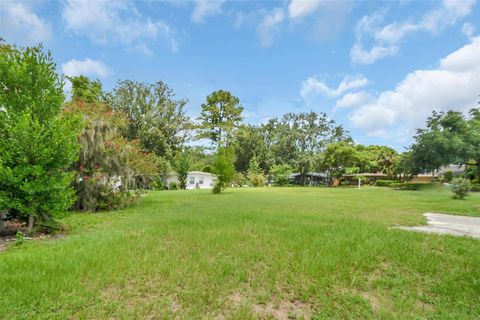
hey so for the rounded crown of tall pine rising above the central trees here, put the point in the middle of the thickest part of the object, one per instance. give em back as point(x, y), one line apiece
point(220, 116)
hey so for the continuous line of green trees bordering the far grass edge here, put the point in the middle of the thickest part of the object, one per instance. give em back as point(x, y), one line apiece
point(100, 150)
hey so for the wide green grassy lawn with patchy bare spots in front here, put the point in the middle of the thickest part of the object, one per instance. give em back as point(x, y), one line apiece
point(251, 253)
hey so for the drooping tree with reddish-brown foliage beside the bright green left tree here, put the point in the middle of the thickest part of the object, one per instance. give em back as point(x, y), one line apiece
point(111, 170)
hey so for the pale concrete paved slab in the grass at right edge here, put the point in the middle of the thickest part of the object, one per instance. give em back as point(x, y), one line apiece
point(449, 224)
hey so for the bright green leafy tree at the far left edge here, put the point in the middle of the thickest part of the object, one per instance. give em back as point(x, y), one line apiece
point(37, 143)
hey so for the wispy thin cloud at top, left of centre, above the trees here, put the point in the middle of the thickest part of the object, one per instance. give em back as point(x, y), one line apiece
point(120, 22)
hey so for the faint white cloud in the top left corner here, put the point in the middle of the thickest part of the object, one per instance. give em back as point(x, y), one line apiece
point(22, 26)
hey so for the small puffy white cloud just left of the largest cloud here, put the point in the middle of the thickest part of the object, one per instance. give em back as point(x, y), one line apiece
point(313, 86)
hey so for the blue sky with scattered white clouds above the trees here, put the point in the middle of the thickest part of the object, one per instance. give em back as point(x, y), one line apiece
point(378, 68)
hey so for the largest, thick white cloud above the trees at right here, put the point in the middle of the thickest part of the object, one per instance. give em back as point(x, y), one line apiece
point(453, 84)
